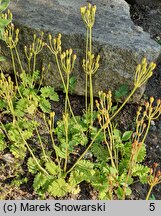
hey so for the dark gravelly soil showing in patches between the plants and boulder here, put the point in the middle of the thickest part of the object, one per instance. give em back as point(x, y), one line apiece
point(149, 18)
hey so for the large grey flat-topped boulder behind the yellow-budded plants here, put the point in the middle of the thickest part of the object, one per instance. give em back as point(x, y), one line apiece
point(119, 42)
